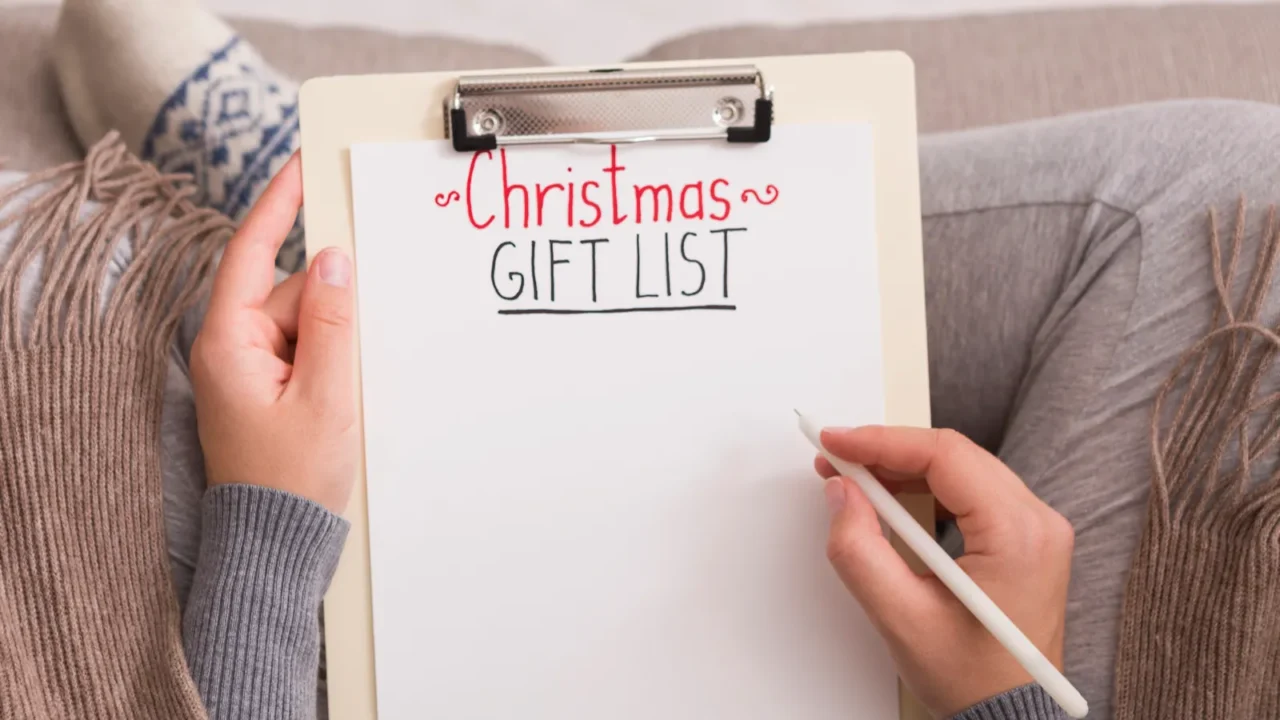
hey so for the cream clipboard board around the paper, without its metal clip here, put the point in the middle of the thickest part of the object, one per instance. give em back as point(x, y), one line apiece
point(874, 88)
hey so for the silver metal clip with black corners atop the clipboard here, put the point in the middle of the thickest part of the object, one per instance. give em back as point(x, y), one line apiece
point(610, 107)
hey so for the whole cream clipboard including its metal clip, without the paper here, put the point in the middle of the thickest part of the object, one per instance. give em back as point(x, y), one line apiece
point(705, 102)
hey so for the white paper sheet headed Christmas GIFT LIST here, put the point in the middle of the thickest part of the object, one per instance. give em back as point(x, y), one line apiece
point(580, 508)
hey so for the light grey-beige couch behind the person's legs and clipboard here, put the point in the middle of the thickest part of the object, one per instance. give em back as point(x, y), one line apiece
point(972, 71)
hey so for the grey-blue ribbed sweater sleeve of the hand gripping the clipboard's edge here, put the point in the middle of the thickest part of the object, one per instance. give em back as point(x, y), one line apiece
point(252, 630)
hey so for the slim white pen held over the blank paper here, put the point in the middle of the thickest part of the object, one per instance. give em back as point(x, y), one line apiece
point(956, 580)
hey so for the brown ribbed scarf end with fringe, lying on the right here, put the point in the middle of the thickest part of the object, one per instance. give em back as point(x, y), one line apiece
point(1201, 630)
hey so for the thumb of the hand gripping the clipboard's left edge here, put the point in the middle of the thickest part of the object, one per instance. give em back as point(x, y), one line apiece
point(323, 358)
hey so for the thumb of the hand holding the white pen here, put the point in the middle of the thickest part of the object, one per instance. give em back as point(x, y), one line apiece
point(890, 593)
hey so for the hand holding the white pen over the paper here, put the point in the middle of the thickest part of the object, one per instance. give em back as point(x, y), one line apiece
point(1018, 550)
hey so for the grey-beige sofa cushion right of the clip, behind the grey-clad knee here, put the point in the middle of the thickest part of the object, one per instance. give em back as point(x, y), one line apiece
point(989, 70)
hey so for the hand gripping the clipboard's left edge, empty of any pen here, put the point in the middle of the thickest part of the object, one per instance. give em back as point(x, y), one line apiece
point(273, 367)
